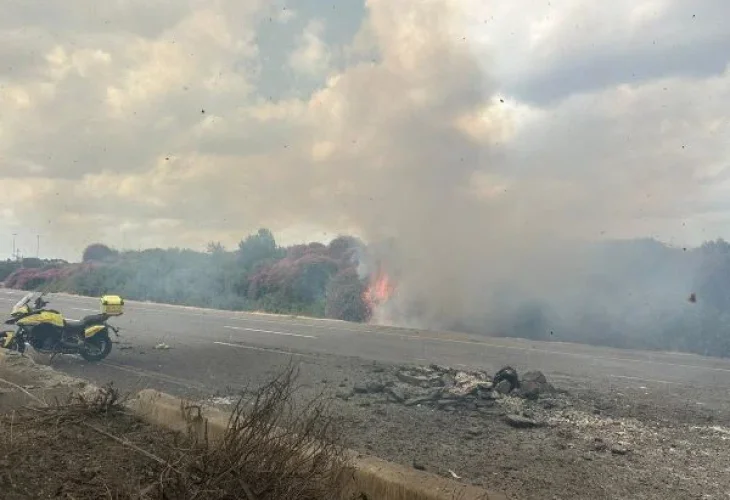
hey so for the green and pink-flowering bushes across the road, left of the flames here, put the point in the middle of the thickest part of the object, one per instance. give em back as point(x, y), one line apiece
point(309, 279)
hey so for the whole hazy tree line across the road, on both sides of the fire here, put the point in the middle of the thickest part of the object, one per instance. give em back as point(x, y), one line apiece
point(635, 294)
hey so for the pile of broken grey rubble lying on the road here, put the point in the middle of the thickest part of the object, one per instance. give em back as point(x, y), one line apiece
point(449, 389)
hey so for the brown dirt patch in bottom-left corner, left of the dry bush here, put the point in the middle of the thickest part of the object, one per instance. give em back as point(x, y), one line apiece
point(44, 459)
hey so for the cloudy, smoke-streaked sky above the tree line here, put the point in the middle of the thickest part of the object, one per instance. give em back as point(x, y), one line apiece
point(449, 124)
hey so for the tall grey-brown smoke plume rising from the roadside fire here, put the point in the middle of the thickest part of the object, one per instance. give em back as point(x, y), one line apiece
point(488, 234)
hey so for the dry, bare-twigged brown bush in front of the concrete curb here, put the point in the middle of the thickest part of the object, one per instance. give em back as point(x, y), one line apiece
point(272, 449)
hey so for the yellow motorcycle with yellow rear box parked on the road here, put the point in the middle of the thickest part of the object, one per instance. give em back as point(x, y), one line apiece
point(48, 332)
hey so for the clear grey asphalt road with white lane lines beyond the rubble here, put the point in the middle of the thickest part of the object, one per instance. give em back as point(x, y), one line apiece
point(211, 349)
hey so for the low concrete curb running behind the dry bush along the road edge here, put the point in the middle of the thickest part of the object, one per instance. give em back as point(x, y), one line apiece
point(373, 478)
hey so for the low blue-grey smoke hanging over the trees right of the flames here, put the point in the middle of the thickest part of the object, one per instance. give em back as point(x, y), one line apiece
point(630, 293)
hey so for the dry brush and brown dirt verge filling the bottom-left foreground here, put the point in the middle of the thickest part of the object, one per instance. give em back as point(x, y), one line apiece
point(90, 447)
